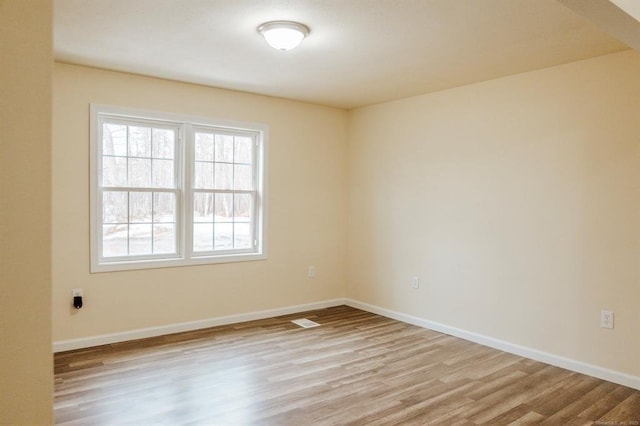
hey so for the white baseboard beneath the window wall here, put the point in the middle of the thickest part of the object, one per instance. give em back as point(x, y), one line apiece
point(105, 339)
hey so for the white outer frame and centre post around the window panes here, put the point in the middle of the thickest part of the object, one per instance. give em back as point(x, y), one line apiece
point(186, 126)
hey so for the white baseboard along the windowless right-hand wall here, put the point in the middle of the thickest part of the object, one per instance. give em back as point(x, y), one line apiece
point(548, 358)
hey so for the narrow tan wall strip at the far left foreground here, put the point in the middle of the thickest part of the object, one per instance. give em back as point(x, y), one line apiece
point(26, 58)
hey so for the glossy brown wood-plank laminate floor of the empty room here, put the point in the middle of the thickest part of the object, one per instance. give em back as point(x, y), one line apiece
point(356, 368)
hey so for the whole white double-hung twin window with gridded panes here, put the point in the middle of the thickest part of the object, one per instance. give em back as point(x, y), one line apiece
point(170, 190)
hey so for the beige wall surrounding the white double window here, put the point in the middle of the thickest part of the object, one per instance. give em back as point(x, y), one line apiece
point(306, 223)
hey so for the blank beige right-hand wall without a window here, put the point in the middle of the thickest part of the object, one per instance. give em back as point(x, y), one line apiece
point(517, 203)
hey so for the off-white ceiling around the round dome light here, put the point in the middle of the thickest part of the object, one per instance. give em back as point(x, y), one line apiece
point(359, 52)
